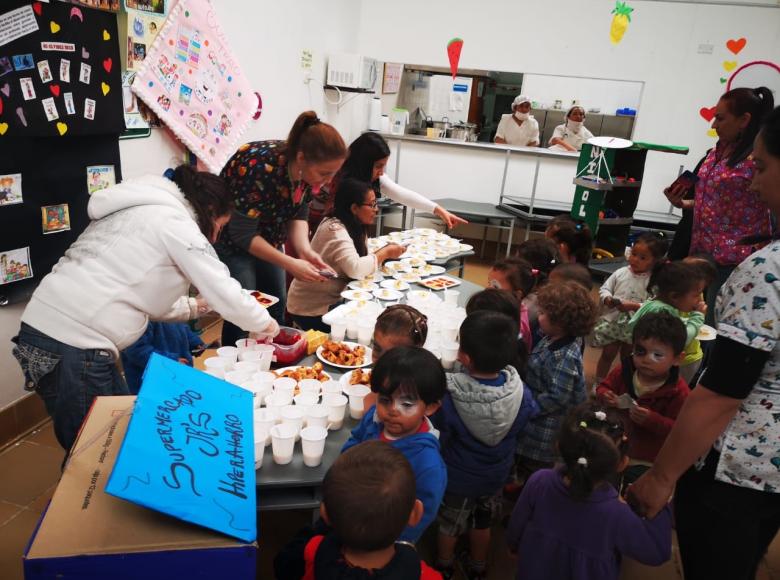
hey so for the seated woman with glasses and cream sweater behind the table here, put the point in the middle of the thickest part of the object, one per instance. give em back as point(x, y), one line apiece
point(341, 241)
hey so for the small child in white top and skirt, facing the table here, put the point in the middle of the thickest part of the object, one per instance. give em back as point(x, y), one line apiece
point(622, 295)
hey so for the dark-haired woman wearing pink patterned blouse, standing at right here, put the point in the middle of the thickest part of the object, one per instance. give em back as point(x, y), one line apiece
point(725, 209)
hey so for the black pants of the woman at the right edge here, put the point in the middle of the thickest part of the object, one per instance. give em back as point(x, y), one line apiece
point(723, 530)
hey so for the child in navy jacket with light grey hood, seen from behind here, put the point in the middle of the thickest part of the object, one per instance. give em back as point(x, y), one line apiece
point(481, 417)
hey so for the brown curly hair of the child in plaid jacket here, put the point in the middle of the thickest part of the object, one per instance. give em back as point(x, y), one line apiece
point(568, 306)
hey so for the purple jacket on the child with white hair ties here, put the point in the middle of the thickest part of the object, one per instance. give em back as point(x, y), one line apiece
point(557, 537)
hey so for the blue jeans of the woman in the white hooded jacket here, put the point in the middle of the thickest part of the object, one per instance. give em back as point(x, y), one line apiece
point(66, 378)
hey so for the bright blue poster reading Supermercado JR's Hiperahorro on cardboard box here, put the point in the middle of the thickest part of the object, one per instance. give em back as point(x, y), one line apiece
point(189, 450)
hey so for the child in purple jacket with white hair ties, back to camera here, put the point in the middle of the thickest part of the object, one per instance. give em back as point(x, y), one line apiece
point(570, 523)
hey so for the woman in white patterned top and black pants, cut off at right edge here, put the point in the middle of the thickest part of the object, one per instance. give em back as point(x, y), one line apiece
point(728, 507)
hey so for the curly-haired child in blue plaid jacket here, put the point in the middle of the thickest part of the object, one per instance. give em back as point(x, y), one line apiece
point(555, 372)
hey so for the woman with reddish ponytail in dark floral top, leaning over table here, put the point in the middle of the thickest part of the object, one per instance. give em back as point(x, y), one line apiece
point(272, 183)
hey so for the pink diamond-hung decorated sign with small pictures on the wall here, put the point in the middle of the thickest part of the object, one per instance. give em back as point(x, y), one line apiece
point(193, 82)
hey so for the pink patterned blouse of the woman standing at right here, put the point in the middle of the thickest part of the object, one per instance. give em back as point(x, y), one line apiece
point(725, 209)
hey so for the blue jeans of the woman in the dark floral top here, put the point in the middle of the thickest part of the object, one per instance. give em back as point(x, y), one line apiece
point(253, 274)
